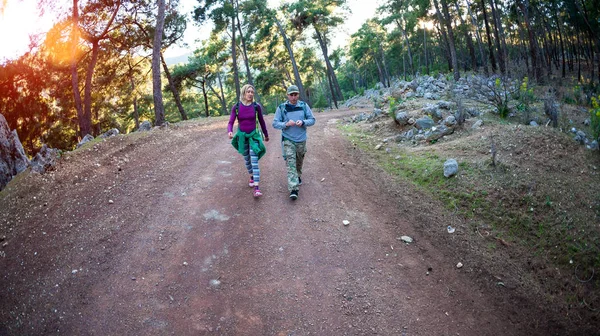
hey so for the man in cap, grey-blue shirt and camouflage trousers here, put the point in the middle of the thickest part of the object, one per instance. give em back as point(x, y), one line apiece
point(292, 118)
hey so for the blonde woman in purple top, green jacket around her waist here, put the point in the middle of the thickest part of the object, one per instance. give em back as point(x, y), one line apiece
point(248, 140)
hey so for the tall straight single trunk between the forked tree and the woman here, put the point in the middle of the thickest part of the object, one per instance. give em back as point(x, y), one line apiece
point(159, 109)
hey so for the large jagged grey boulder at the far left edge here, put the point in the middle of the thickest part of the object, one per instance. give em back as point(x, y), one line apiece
point(12, 155)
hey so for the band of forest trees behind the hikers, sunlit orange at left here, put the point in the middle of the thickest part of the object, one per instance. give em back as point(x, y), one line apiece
point(102, 64)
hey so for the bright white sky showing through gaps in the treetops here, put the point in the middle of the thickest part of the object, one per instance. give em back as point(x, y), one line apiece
point(20, 19)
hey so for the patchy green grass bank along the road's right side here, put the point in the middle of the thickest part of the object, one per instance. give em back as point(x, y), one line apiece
point(523, 205)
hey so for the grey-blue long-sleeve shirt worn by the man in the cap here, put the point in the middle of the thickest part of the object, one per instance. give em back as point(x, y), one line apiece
point(286, 112)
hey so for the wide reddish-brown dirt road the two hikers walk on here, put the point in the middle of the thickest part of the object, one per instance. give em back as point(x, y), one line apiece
point(161, 236)
